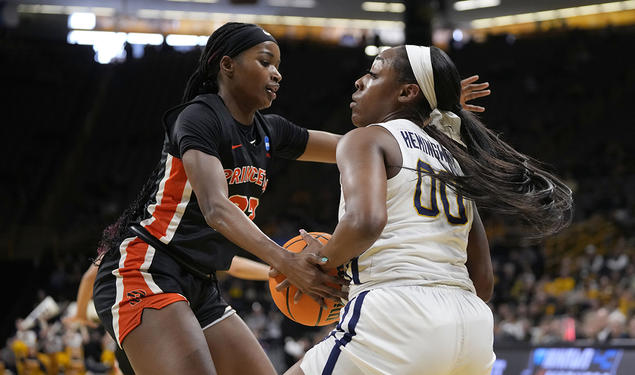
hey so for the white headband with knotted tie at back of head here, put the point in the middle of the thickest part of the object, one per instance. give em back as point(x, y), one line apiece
point(446, 121)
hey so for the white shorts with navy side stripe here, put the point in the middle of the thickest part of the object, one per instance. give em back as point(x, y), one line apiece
point(422, 330)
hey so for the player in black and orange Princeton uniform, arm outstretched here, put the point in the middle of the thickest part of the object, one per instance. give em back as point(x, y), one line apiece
point(155, 291)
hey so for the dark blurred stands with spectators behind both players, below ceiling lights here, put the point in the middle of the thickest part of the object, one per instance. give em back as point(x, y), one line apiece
point(83, 137)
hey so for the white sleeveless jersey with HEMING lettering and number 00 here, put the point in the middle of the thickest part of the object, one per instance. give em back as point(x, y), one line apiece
point(425, 238)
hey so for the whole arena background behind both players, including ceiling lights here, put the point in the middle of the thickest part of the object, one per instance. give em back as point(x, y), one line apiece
point(84, 85)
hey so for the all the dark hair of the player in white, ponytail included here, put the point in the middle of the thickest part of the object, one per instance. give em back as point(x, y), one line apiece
point(496, 176)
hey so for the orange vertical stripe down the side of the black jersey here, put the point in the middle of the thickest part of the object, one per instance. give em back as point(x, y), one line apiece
point(172, 195)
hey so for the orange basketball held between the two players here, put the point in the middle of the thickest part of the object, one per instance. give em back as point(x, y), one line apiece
point(306, 311)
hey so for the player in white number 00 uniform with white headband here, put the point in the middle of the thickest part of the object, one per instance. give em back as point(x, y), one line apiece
point(416, 249)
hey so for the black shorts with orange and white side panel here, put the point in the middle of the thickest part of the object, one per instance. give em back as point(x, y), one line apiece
point(137, 276)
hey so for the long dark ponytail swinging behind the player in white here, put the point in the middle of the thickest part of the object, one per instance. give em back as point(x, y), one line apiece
point(503, 180)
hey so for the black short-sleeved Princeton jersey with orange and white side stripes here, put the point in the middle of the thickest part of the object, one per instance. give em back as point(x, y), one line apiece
point(172, 215)
